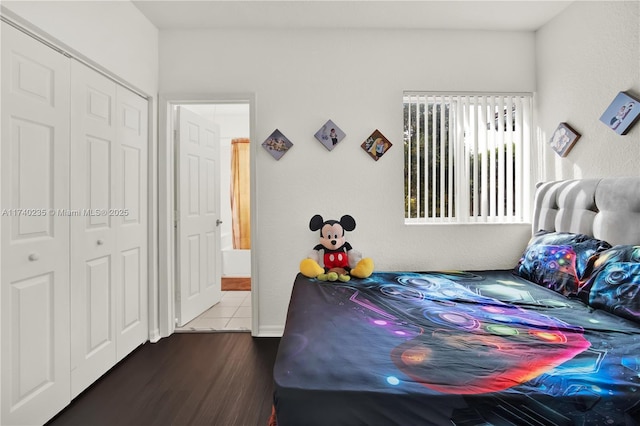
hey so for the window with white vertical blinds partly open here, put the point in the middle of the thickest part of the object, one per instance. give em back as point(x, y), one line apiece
point(466, 157)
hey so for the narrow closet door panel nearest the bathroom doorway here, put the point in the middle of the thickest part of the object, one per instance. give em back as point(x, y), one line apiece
point(130, 217)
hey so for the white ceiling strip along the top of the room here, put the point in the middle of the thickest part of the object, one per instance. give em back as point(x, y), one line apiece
point(505, 15)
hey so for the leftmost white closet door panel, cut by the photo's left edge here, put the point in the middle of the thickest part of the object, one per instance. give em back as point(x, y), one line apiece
point(34, 294)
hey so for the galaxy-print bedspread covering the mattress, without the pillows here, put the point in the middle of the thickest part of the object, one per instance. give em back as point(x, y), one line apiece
point(462, 348)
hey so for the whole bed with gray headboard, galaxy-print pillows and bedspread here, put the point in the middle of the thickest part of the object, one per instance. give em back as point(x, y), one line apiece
point(553, 341)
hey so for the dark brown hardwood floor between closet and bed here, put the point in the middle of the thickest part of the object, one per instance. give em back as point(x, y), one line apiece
point(221, 379)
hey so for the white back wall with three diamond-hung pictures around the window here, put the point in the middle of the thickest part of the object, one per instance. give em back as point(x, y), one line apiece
point(301, 79)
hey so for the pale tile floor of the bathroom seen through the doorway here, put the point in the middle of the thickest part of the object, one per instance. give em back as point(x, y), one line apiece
point(233, 313)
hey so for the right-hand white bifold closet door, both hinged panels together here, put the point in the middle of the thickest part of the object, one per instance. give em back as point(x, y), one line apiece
point(109, 233)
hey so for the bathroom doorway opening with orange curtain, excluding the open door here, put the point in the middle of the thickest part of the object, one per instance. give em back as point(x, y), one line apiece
point(233, 312)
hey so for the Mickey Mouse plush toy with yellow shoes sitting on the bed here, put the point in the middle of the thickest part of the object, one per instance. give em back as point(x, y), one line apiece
point(339, 258)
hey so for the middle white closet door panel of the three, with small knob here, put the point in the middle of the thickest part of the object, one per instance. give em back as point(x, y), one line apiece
point(93, 231)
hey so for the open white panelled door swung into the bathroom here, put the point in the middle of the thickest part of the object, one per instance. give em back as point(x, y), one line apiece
point(198, 237)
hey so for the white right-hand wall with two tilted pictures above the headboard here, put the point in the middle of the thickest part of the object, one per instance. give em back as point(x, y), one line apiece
point(584, 57)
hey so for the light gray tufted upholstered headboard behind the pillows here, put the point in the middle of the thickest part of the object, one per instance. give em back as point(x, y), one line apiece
point(607, 208)
